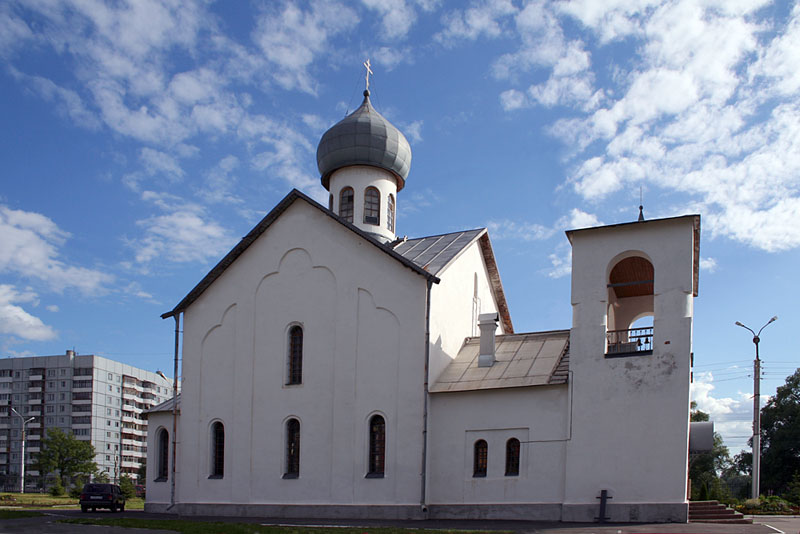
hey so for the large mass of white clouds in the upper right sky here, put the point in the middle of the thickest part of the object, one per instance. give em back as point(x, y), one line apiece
point(707, 107)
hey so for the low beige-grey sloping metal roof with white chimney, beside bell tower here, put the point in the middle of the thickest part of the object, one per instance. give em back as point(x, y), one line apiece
point(533, 359)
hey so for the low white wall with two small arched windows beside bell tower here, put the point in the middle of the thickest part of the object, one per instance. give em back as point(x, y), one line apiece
point(537, 416)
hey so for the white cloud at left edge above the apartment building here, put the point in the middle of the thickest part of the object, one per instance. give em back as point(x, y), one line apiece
point(29, 244)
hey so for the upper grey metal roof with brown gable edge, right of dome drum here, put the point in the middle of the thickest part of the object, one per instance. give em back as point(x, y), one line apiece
point(436, 253)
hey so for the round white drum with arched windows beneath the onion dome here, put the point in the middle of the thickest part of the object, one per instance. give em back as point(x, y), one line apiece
point(359, 177)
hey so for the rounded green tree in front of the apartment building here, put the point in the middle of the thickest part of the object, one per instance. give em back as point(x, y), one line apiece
point(63, 453)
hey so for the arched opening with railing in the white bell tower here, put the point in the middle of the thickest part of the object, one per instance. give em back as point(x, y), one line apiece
point(629, 322)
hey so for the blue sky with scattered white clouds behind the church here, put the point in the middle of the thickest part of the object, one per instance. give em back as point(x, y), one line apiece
point(142, 139)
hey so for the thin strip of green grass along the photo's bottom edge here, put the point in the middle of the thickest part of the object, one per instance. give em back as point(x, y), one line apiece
point(193, 527)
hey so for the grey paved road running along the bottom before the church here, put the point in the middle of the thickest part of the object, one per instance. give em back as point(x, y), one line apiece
point(48, 524)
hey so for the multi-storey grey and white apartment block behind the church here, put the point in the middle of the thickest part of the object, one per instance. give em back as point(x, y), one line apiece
point(96, 399)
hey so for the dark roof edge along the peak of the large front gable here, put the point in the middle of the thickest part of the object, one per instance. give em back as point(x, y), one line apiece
point(262, 226)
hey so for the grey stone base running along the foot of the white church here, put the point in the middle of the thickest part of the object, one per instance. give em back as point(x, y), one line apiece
point(568, 513)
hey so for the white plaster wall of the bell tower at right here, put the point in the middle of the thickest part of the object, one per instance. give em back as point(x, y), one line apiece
point(630, 428)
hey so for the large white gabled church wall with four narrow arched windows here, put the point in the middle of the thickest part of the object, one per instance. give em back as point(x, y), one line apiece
point(363, 318)
